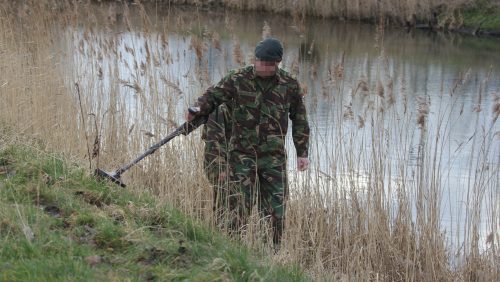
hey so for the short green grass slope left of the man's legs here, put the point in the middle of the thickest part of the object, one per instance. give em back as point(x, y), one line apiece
point(59, 224)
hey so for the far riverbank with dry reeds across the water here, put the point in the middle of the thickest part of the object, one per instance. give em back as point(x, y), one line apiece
point(477, 18)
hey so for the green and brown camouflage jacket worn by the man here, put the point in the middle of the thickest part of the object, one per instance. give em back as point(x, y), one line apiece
point(259, 117)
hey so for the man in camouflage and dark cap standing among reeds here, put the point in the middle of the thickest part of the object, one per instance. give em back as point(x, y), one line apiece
point(260, 99)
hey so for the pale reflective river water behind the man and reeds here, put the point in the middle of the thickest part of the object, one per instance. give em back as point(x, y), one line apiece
point(456, 76)
